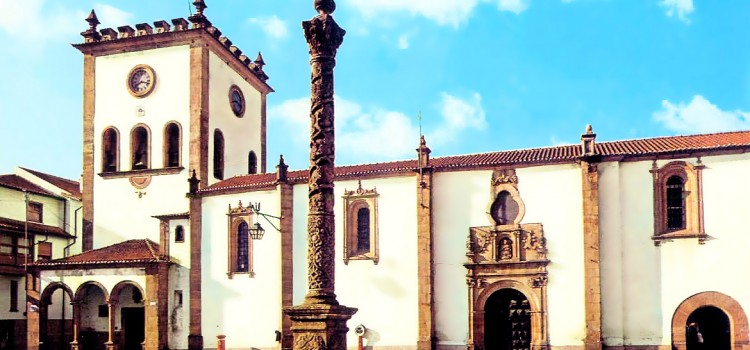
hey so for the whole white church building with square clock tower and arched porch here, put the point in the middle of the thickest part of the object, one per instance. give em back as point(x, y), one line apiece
point(190, 240)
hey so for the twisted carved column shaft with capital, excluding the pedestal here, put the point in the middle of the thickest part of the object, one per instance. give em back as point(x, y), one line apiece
point(323, 37)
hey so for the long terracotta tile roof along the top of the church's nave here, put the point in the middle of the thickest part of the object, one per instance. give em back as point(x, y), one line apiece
point(738, 141)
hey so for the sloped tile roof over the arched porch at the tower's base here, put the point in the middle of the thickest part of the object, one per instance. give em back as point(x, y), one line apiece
point(134, 251)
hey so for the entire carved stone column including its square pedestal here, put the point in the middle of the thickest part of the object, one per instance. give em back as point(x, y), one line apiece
point(320, 322)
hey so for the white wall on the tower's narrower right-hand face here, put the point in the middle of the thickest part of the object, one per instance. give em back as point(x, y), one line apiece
point(241, 135)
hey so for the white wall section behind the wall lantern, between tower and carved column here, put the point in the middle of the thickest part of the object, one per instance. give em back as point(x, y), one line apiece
point(247, 309)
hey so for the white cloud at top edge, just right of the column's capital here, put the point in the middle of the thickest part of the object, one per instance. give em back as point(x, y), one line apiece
point(444, 12)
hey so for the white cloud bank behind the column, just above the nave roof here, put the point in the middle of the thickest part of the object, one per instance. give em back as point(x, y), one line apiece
point(378, 134)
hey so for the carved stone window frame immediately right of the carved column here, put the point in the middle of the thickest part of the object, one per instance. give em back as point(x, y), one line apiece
point(354, 201)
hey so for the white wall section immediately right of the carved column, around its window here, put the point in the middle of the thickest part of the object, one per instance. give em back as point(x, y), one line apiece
point(389, 288)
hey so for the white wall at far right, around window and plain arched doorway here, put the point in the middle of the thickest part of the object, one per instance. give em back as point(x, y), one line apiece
point(653, 280)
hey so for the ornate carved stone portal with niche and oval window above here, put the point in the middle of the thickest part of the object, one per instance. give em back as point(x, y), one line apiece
point(507, 256)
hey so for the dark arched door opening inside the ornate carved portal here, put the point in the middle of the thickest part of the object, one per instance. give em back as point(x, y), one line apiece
point(507, 321)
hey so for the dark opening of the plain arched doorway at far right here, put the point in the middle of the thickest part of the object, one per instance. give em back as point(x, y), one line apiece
point(708, 328)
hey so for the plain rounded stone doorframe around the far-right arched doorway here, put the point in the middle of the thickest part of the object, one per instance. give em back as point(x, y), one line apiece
point(737, 319)
